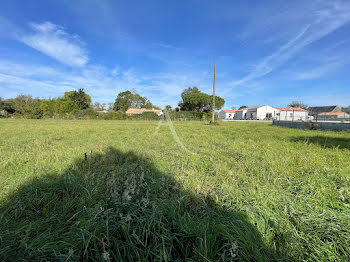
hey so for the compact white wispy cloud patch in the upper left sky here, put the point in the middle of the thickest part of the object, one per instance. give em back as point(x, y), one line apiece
point(54, 41)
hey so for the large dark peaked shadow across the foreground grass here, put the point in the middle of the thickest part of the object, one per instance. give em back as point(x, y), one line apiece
point(116, 206)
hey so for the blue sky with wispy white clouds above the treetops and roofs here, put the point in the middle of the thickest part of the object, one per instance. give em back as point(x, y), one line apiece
point(267, 52)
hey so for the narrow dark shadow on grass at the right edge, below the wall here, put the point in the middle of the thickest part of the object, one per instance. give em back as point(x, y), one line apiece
point(325, 141)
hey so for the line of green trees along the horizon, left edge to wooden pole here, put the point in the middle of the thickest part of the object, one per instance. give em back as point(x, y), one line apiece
point(78, 104)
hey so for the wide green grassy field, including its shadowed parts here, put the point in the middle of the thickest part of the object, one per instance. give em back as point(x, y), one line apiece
point(115, 191)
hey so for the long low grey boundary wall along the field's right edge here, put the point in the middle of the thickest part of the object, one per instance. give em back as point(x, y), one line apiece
point(328, 126)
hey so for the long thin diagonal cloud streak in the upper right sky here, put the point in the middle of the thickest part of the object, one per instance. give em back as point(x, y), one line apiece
point(324, 22)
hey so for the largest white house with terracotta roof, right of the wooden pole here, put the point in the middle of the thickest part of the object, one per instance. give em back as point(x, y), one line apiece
point(257, 112)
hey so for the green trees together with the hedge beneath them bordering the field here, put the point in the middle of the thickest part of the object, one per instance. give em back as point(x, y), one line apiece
point(78, 105)
